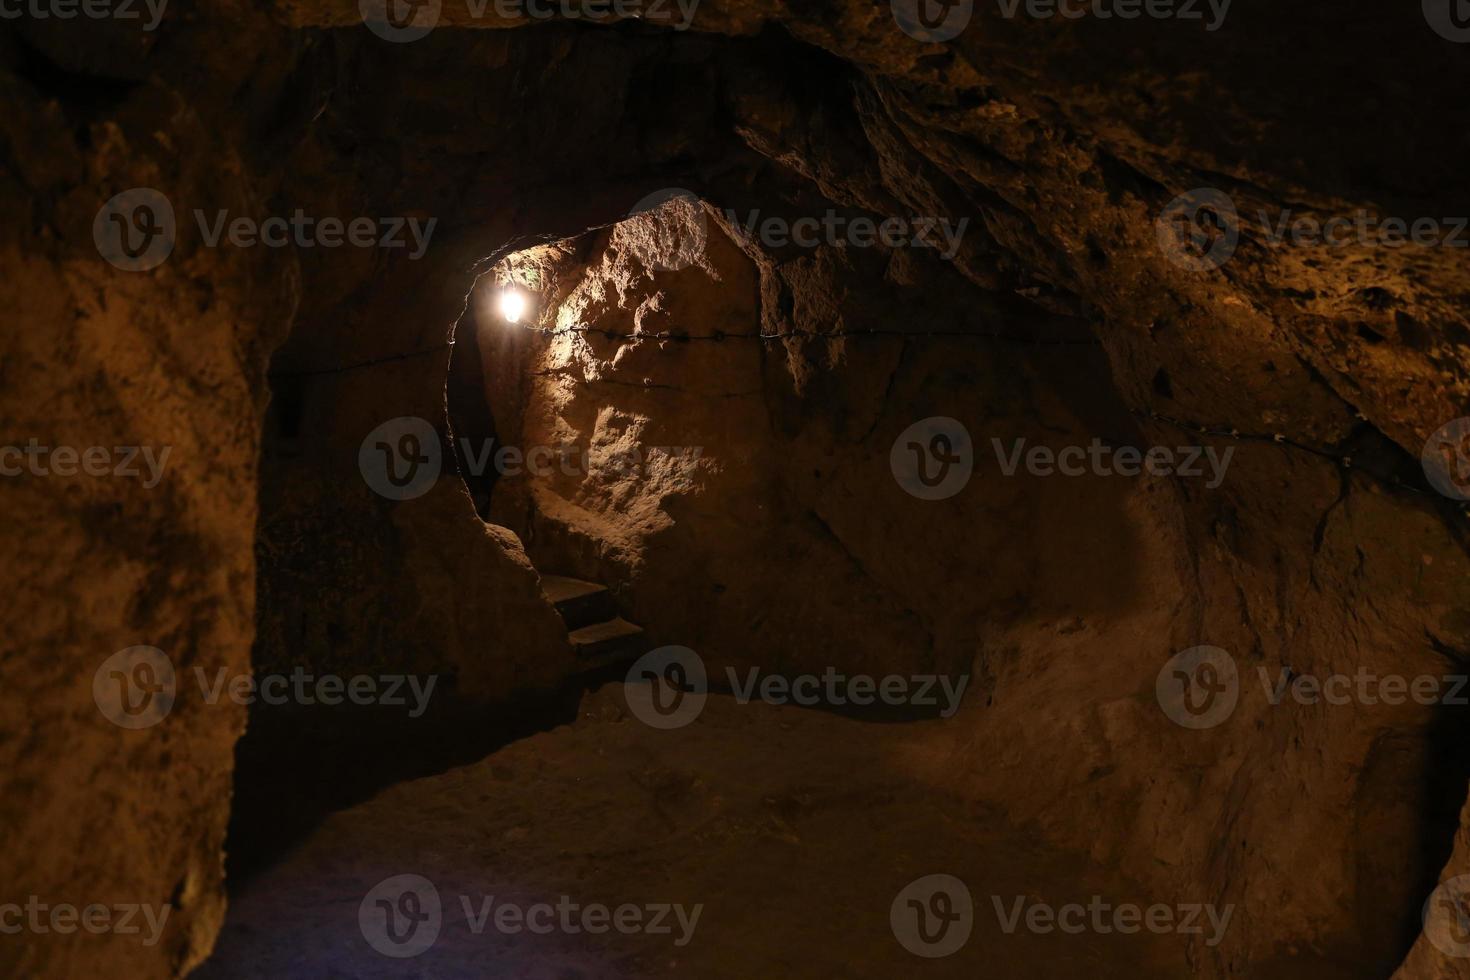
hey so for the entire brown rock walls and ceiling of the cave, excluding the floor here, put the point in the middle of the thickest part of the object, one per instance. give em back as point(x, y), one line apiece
point(789, 543)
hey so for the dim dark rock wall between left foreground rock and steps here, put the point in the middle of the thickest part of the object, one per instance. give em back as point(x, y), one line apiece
point(361, 574)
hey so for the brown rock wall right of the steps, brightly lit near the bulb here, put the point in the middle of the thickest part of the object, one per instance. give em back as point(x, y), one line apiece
point(1062, 599)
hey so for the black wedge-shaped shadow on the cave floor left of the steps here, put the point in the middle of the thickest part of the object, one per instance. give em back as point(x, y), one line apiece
point(298, 765)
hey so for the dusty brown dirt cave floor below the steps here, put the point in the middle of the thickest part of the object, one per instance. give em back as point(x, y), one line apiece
point(795, 829)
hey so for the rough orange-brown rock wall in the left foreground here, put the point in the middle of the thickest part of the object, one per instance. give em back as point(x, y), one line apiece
point(133, 525)
